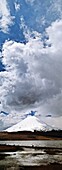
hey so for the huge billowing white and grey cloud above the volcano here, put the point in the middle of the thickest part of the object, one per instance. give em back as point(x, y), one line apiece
point(32, 79)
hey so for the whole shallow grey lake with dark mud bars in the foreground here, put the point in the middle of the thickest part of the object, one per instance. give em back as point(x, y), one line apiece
point(42, 153)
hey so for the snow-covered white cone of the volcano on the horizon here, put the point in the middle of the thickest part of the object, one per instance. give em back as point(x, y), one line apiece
point(30, 123)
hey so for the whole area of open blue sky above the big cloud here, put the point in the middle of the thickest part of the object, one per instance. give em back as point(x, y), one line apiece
point(37, 17)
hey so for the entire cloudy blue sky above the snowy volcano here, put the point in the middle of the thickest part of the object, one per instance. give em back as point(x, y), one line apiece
point(30, 61)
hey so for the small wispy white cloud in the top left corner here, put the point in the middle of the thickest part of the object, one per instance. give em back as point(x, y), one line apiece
point(6, 19)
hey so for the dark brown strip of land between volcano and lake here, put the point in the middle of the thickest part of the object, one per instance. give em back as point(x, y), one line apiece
point(27, 135)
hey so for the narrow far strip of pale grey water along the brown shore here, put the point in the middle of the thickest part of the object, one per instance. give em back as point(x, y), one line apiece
point(38, 143)
